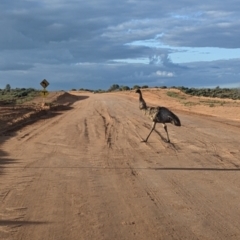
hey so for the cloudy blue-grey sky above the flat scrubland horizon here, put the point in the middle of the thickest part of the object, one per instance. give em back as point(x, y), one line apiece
point(97, 43)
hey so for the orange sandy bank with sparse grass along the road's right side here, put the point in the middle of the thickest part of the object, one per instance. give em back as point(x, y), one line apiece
point(179, 101)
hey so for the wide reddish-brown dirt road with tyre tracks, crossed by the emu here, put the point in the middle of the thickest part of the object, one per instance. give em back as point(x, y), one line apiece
point(84, 174)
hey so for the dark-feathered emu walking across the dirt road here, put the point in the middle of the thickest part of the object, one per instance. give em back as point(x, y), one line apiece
point(157, 115)
